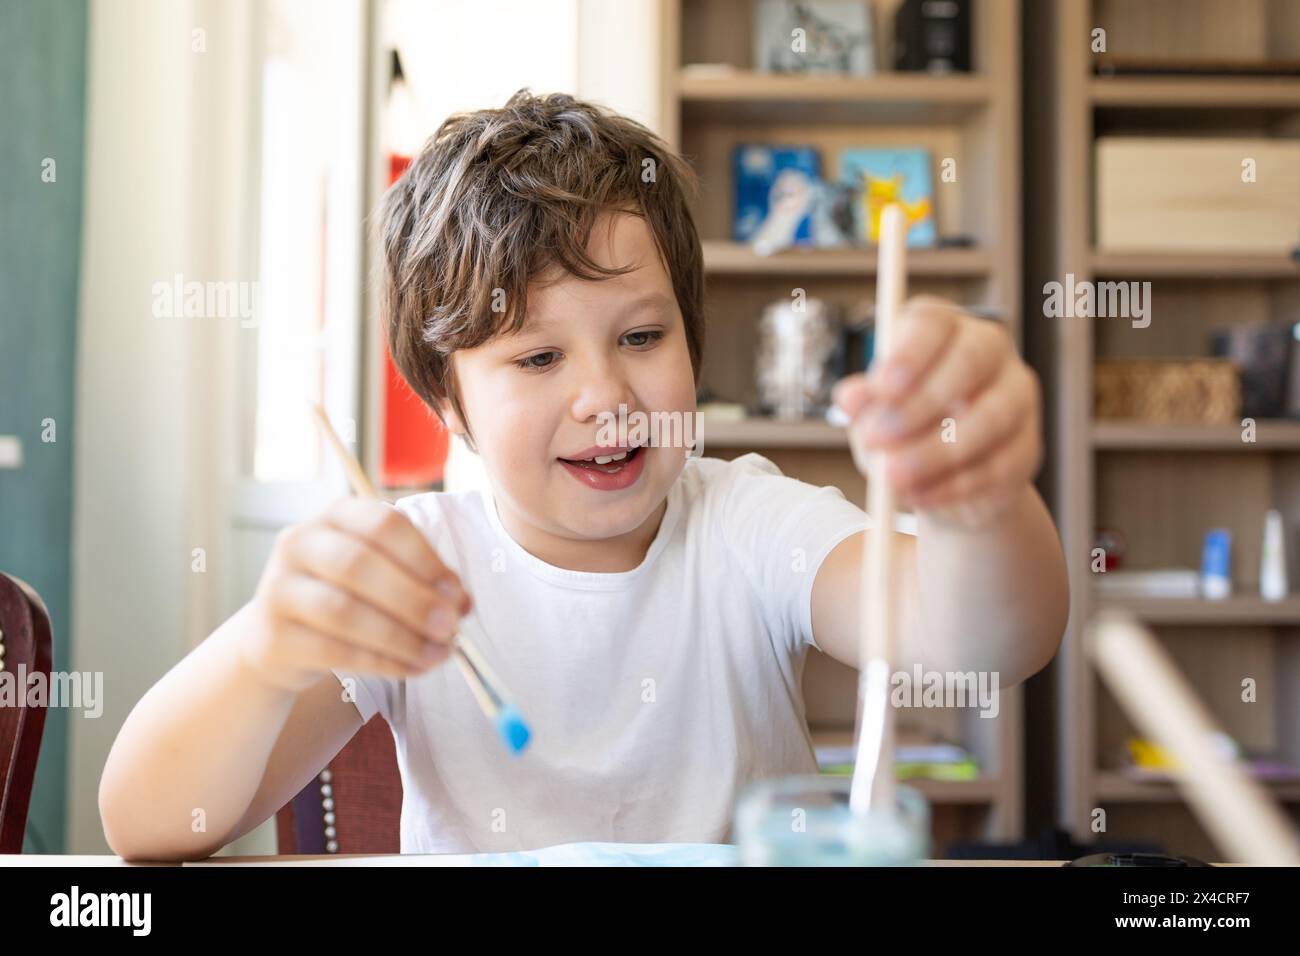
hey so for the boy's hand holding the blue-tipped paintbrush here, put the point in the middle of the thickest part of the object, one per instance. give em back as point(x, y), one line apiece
point(357, 589)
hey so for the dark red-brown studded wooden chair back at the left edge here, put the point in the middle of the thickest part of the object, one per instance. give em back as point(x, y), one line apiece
point(25, 650)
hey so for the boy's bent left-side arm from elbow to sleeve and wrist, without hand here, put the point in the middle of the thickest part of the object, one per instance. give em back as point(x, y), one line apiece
point(213, 737)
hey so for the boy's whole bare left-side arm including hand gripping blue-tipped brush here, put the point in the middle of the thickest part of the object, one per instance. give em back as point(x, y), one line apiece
point(241, 725)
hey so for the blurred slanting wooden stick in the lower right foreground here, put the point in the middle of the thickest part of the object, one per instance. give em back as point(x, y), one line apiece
point(1245, 823)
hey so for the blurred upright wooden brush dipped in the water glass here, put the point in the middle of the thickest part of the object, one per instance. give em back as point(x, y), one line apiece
point(873, 772)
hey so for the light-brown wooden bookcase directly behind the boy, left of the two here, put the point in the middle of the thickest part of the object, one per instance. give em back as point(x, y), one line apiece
point(713, 101)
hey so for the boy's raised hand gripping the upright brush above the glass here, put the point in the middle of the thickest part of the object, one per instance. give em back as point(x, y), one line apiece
point(956, 409)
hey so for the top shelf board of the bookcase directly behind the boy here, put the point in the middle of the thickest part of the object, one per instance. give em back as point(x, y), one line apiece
point(752, 97)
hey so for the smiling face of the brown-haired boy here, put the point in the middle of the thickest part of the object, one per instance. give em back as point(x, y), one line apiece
point(535, 400)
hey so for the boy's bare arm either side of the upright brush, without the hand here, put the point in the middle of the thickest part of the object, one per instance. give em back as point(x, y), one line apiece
point(989, 600)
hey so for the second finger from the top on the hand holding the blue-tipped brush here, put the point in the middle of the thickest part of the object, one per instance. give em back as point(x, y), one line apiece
point(354, 565)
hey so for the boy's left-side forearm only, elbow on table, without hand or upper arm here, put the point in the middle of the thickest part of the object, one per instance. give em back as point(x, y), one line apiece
point(192, 755)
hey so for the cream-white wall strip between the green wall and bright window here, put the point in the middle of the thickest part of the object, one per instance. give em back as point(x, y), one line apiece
point(151, 430)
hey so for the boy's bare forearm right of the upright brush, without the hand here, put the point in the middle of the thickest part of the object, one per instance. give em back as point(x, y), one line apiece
point(998, 599)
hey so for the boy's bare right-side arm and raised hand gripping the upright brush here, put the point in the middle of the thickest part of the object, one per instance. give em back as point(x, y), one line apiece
point(959, 416)
